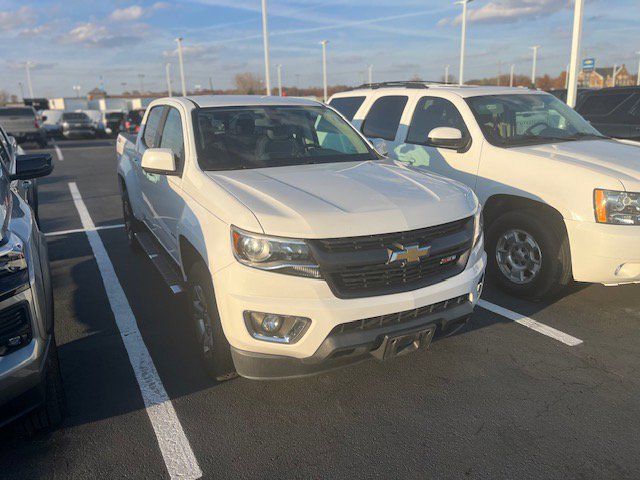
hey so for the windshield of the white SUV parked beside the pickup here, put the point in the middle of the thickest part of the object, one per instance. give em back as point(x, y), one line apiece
point(529, 119)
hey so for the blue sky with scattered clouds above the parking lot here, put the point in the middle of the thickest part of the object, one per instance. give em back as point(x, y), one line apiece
point(110, 43)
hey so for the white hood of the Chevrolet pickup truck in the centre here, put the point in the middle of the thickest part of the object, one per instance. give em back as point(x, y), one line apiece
point(346, 199)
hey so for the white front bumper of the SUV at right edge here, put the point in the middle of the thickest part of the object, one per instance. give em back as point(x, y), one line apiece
point(607, 254)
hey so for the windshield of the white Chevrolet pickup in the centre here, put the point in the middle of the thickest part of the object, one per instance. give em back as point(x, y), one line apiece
point(274, 136)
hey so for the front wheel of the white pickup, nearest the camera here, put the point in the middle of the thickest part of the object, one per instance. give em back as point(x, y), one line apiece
point(214, 349)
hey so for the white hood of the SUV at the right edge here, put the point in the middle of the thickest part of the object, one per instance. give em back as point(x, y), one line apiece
point(610, 157)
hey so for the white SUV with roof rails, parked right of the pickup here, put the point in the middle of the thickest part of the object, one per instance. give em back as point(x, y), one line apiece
point(561, 201)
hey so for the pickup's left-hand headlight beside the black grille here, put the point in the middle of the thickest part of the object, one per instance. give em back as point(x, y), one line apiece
point(282, 255)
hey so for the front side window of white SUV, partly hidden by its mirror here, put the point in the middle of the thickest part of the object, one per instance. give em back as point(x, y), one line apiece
point(433, 112)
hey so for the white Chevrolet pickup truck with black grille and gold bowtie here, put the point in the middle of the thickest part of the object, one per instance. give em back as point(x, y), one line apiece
point(301, 248)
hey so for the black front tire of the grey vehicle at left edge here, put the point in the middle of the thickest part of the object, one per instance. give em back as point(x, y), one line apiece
point(51, 414)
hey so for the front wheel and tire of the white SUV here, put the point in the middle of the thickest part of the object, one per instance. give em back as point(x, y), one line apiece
point(533, 242)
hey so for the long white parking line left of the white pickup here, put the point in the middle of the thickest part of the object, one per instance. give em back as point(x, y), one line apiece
point(174, 445)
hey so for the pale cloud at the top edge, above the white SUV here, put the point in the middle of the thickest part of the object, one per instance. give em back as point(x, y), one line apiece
point(506, 11)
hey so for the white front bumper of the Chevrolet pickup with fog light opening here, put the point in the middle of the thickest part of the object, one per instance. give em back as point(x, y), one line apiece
point(240, 288)
